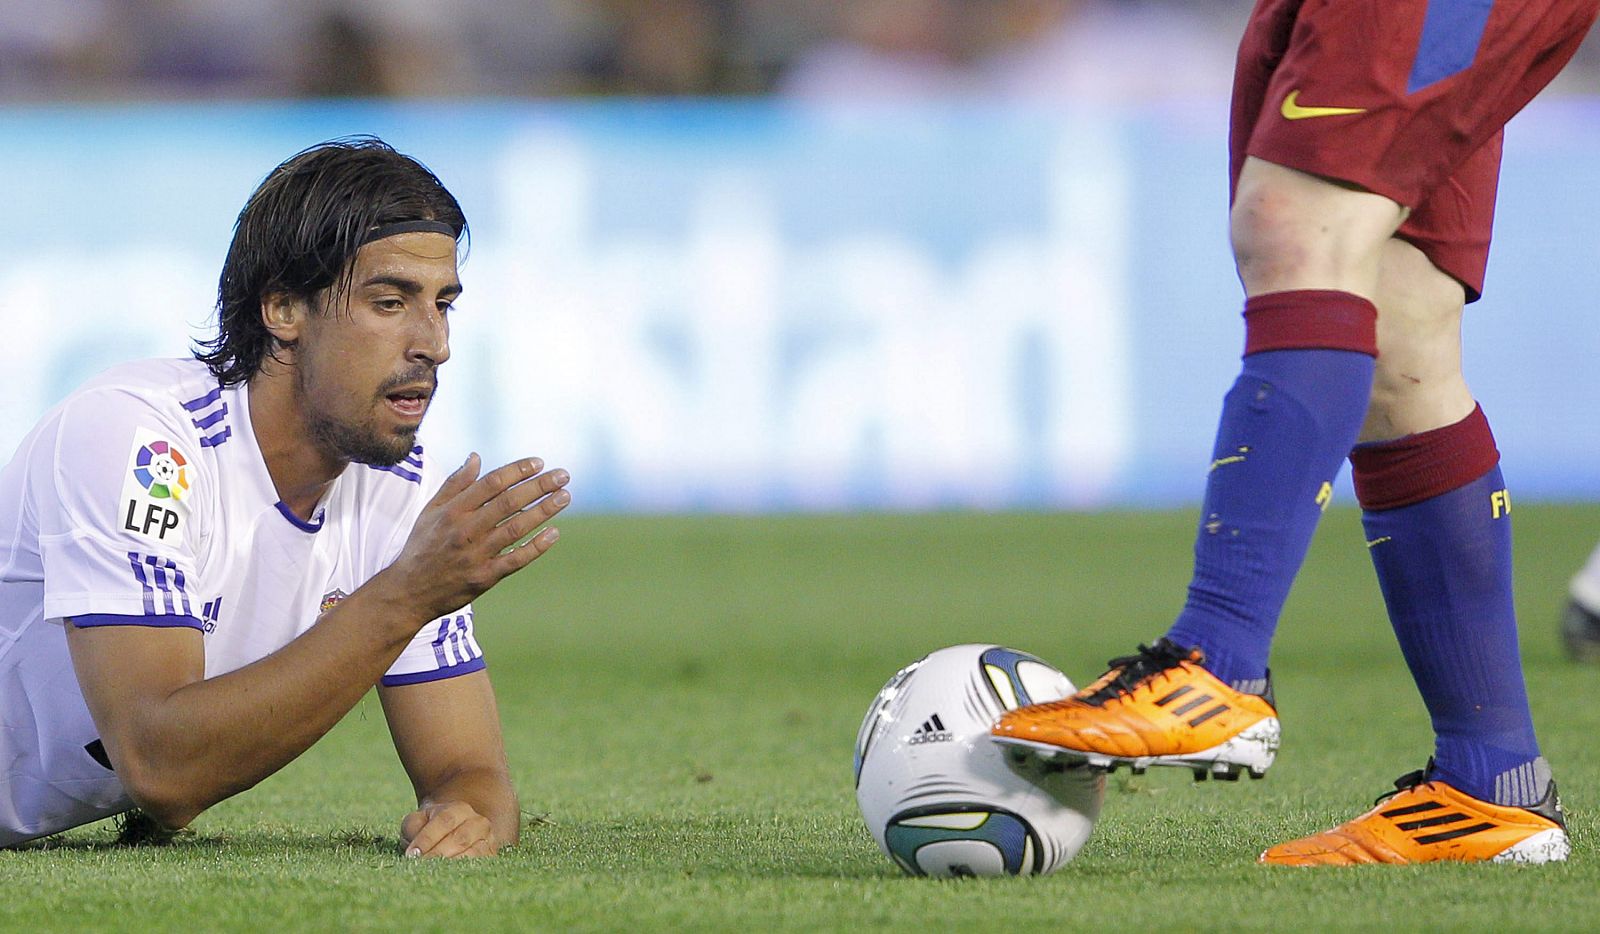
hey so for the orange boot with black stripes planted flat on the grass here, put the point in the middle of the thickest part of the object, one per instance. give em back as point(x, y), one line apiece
point(1426, 821)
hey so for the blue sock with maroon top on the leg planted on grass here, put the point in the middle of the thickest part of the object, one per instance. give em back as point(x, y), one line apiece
point(1446, 569)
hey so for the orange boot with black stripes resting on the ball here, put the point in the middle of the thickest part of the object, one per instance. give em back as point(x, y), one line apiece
point(1159, 708)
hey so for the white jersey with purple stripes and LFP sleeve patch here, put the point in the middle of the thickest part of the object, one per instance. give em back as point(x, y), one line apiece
point(143, 500)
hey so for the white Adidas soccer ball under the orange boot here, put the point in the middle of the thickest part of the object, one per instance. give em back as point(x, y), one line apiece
point(942, 799)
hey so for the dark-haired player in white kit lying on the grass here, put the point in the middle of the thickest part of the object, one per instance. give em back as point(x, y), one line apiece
point(206, 564)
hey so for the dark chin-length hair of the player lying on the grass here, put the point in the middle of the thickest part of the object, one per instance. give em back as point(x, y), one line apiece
point(302, 230)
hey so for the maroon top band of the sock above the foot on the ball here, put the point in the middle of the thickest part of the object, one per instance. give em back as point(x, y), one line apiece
point(1311, 321)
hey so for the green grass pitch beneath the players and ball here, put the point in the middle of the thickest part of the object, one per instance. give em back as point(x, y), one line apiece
point(681, 698)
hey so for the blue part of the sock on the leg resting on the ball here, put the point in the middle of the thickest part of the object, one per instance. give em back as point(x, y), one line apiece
point(1287, 426)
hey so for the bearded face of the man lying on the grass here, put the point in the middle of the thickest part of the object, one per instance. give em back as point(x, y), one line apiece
point(366, 364)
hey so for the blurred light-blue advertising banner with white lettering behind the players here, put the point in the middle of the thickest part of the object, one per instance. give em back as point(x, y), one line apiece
point(764, 308)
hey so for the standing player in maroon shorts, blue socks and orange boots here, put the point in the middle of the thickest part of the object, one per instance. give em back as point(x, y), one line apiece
point(1366, 158)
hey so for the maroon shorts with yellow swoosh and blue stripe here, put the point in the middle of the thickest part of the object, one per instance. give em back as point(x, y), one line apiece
point(1404, 98)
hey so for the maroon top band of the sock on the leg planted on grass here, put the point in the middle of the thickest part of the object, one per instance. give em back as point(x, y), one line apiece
point(1423, 466)
